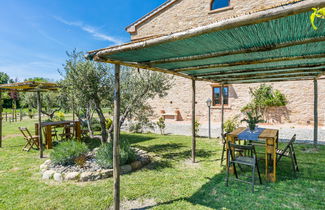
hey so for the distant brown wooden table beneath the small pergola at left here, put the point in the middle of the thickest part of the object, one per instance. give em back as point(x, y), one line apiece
point(48, 130)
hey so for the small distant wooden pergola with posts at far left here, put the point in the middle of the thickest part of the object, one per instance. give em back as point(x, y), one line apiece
point(29, 86)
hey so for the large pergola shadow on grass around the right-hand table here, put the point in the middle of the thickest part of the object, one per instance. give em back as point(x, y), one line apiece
point(300, 190)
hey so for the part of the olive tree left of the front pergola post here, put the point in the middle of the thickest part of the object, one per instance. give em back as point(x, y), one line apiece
point(89, 83)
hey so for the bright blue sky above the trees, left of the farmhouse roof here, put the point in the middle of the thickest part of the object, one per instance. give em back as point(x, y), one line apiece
point(35, 34)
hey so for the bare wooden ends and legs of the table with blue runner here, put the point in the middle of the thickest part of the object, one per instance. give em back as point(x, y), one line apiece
point(270, 136)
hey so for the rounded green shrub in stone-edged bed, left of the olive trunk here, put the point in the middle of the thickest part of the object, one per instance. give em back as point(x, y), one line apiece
point(67, 152)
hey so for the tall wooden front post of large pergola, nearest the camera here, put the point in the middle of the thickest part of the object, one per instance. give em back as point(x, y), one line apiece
point(116, 139)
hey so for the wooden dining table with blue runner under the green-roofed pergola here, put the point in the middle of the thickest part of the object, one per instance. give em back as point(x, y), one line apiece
point(268, 137)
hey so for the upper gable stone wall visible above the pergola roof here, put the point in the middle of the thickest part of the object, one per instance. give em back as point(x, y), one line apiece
point(187, 14)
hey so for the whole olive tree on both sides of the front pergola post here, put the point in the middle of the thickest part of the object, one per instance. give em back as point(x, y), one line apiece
point(92, 85)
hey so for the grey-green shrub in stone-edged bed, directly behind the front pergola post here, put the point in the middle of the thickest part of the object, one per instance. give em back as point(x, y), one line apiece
point(104, 155)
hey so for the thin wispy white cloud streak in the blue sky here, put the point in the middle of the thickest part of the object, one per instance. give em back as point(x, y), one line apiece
point(91, 30)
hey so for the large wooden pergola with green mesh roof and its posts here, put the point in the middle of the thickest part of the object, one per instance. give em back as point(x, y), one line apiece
point(273, 45)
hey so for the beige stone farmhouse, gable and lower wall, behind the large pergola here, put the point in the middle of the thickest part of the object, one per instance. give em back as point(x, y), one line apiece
point(179, 15)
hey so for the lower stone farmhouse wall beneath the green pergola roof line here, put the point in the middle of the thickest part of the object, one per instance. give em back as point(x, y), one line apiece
point(299, 110)
